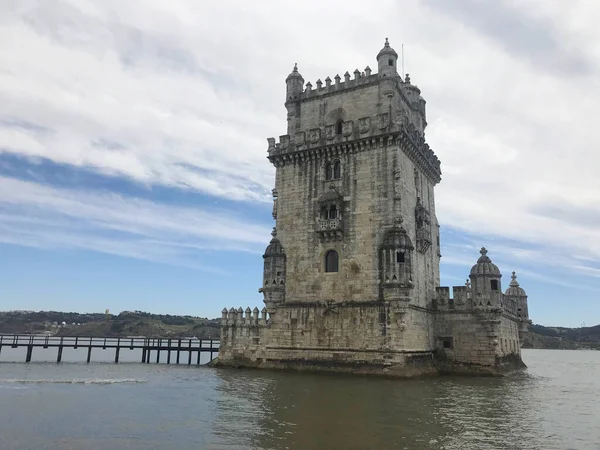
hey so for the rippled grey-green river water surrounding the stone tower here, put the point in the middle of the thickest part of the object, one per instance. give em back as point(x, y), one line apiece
point(554, 405)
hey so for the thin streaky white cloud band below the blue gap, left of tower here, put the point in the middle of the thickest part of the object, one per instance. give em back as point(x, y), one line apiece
point(40, 216)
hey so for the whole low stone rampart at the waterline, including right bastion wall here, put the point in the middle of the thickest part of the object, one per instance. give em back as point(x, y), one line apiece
point(370, 339)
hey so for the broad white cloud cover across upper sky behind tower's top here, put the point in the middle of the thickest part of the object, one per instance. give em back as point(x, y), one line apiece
point(184, 94)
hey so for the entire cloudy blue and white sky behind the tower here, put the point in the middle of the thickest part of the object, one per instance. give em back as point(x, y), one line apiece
point(133, 171)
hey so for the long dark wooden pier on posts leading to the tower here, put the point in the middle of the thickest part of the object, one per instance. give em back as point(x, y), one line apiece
point(151, 348)
